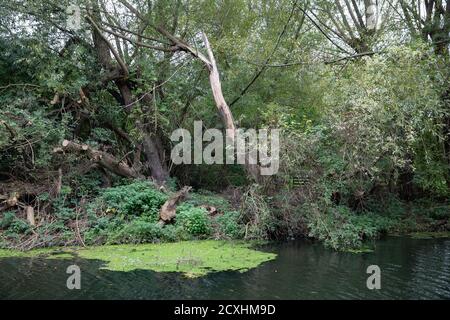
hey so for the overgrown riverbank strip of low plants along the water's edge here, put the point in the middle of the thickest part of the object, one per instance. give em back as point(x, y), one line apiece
point(129, 214)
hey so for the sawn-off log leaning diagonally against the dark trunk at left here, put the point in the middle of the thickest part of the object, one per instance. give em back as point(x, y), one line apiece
point(102, 158)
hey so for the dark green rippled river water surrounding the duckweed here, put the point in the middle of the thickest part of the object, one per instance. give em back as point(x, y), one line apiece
point(410, 269)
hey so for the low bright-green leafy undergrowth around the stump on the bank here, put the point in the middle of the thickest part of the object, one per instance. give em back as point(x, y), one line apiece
point(129, 214)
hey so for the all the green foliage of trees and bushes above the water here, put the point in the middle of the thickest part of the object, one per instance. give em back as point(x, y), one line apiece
point(353, 131)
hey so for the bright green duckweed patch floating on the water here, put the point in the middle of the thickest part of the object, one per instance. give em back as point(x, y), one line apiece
point(192, 258)
